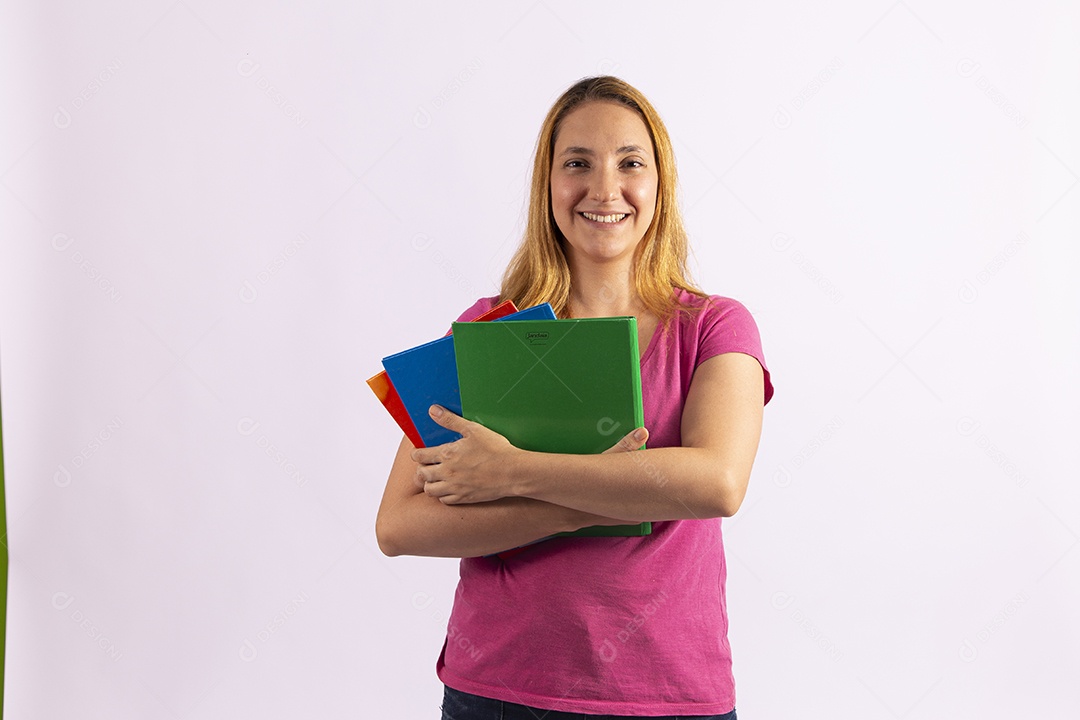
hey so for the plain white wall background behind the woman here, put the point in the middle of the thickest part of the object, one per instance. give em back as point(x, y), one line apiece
point(218, 219)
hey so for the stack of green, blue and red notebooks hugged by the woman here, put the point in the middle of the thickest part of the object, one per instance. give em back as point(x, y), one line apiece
point(546, 385)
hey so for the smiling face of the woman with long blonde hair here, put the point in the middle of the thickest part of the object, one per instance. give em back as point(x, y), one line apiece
point(603, 182)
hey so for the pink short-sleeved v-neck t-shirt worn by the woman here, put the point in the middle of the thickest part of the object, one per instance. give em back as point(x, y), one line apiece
point(613, 626)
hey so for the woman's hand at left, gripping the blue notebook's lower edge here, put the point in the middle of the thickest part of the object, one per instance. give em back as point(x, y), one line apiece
point(475, 469)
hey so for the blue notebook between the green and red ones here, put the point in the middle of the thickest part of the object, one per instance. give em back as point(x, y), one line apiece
point(428, 375)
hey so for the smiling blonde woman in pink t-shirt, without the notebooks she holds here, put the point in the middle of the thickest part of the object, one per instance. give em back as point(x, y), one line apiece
point(576, 628)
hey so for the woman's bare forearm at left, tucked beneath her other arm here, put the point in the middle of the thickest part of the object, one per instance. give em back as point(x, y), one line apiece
point(411, 523)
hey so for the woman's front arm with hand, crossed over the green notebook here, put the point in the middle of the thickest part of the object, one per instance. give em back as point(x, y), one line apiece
point(707, 478)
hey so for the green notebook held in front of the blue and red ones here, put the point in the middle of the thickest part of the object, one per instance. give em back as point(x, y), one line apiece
point(560, 386)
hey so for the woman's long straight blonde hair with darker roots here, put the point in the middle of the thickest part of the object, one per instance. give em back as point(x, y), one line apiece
point(539, 271)
